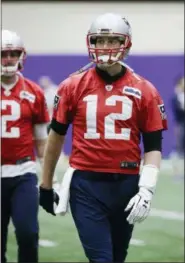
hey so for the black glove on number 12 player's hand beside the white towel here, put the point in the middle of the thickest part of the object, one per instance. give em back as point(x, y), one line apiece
point(47, 198)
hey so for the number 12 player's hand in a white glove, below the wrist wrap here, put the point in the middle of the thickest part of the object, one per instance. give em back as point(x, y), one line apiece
point(139, 206)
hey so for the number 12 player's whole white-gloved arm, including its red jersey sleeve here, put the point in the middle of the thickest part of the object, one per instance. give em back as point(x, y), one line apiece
point(153, 122)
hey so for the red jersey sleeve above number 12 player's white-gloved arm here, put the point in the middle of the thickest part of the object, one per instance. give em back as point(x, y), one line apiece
point(153, 115)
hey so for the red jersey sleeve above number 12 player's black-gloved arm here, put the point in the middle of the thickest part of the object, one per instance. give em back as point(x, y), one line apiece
point(63, 108)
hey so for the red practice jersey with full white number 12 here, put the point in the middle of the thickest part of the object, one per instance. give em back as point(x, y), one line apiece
point(108, 119)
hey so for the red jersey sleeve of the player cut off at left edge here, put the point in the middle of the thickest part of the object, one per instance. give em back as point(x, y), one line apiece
point(41, 114)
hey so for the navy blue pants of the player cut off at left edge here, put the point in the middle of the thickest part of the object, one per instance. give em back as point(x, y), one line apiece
point(19, 201)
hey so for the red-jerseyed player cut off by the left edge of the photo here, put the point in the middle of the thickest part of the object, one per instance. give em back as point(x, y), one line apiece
point(24, 119)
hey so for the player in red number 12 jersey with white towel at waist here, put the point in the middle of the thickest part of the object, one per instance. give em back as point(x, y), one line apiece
point(110, 107)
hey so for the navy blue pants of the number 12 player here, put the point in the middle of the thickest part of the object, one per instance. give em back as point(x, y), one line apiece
point(97, 202)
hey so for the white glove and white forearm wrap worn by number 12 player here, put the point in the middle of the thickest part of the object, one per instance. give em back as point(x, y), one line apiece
point(140, 204)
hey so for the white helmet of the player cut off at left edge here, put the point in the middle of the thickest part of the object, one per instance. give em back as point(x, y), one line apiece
point(12, 42)
